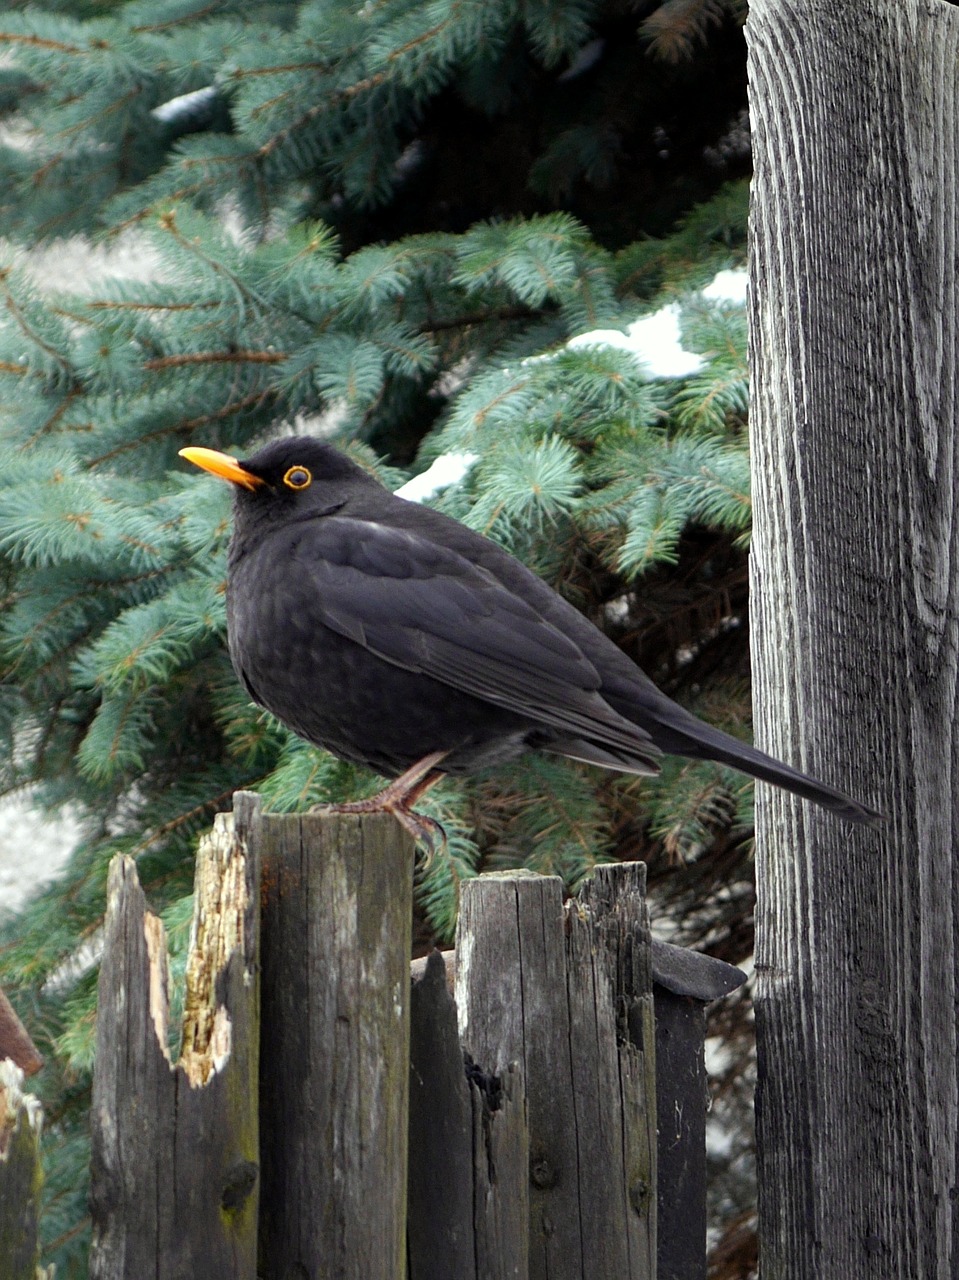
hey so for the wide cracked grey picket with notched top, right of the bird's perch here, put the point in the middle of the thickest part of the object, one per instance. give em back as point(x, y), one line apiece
point(567, 994)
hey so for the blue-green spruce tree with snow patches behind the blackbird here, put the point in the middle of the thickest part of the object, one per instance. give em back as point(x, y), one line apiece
point(383, 223)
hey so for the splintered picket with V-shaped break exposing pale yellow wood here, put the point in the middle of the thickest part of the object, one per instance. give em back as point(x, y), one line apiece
point(175, 1149)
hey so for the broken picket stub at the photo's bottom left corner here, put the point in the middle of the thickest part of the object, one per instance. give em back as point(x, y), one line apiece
point(21, 1177)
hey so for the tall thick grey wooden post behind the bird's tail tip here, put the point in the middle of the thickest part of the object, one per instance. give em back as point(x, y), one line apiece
point(856, 619)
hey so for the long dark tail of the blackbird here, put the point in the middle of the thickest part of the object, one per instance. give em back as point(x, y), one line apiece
point(677, 732)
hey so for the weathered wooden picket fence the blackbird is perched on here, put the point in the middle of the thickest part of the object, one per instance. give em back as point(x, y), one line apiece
point(330, 1116)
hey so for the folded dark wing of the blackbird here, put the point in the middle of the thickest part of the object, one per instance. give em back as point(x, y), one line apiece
point(424, 607)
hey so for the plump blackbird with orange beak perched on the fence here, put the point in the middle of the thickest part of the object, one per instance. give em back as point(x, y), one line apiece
point(399, 639)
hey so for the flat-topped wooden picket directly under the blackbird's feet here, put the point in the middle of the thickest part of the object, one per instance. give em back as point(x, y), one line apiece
point(337, 911)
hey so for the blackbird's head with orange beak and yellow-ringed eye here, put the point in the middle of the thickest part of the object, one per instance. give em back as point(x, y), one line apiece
point(294, 478)
